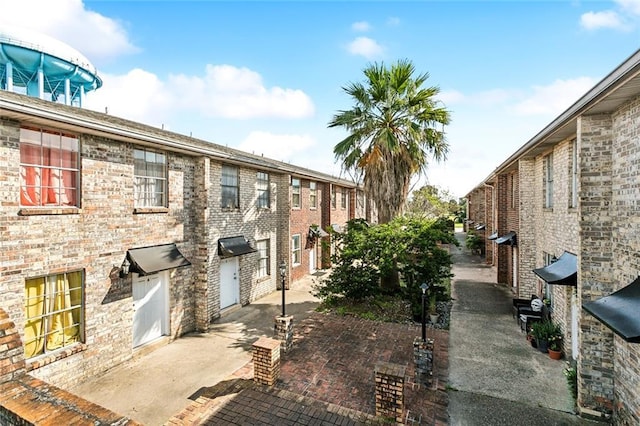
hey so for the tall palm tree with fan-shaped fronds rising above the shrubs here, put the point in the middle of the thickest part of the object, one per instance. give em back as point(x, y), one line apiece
point(394, 127)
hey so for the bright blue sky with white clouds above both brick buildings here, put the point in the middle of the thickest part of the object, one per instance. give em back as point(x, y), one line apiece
point(267, 77)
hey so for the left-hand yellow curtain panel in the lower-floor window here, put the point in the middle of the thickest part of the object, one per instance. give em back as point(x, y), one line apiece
point(34, 310)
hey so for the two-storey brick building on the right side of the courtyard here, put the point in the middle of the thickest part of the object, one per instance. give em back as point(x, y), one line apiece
point(570, 194)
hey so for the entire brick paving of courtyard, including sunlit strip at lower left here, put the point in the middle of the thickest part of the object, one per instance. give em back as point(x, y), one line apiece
point(327, 379)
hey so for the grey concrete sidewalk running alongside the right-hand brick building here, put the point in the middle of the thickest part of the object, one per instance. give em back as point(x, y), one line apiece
point(498, 378)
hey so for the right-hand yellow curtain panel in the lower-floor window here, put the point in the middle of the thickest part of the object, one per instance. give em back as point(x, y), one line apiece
point(62, 329)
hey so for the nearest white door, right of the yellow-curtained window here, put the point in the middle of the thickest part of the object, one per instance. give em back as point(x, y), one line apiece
point(150, 308)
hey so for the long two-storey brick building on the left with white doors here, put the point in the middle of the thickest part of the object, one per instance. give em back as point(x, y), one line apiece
point(116, 235)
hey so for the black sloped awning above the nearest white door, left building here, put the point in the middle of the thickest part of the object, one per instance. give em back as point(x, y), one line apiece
point(148, 260)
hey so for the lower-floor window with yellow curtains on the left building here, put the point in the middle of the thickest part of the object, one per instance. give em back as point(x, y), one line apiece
point(54, 307)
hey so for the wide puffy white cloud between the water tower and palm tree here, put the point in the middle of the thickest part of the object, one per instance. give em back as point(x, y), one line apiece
point(231, 92)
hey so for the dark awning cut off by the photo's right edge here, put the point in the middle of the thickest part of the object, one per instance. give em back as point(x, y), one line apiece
point(619, 311)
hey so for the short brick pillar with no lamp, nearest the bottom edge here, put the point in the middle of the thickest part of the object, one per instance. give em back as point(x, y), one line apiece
point(390, 391)
